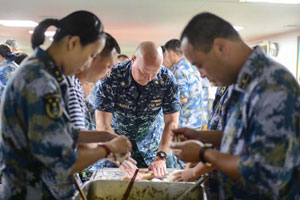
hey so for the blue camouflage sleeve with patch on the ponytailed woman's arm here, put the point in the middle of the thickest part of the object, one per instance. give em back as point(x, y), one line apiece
point(50, 136)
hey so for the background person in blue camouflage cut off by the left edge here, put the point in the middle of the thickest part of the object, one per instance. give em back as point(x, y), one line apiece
point(7, 65)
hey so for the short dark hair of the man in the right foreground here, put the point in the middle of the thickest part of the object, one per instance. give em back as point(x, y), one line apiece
point(204, 28)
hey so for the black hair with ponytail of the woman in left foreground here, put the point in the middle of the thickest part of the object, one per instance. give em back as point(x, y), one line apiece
point(84, 24)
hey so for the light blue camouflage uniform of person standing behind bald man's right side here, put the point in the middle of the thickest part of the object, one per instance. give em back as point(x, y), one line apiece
point(190, 88)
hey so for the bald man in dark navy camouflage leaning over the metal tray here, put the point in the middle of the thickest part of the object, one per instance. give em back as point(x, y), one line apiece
point(129, 102)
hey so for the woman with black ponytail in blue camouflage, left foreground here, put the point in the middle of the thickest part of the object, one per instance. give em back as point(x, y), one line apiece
point(38, 143)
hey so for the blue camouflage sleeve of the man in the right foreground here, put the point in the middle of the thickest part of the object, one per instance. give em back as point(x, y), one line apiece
point(274, 141)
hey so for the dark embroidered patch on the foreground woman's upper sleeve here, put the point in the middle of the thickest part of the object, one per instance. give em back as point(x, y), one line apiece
point(53, 107)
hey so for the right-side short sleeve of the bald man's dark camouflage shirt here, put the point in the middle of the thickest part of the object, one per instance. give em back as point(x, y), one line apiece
point(171, 102)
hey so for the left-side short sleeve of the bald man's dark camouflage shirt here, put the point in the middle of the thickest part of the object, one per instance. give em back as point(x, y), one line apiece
point(103, 95)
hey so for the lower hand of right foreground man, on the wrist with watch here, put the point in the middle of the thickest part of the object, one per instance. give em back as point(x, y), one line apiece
point(187, 151)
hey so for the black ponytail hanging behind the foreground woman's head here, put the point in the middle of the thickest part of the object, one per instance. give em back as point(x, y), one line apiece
point(38, 36)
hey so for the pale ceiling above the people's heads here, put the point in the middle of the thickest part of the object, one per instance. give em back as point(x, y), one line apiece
point(133, 21)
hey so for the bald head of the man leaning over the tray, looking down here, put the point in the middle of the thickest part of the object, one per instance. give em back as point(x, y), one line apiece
point(146, 62)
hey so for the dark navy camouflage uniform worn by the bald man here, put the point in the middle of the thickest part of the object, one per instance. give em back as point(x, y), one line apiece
point(135, 115)
